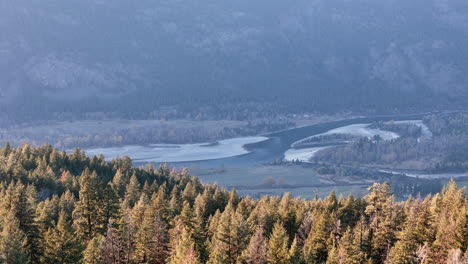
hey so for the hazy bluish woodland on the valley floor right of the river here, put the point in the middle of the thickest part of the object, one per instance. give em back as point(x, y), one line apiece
point(445, 151)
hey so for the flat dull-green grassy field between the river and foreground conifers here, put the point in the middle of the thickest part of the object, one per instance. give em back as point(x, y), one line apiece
point(275, 180)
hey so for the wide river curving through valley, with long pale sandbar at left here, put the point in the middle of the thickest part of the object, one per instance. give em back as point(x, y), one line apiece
point(234, 152)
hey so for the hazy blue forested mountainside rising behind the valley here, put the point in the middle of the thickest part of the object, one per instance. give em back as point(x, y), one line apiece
point(133, 57)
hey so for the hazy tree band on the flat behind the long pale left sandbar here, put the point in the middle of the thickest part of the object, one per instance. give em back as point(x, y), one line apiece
point(103, 135)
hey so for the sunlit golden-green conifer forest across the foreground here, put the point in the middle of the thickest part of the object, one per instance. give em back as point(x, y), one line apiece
point(69, 208)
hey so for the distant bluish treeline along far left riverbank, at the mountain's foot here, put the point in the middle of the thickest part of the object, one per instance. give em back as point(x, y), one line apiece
point(168, 128)
